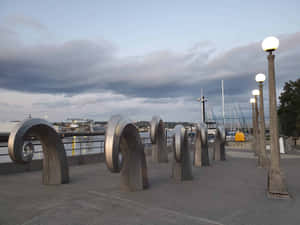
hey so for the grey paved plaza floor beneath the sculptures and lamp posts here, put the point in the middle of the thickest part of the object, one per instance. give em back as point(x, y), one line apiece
point(232, 192)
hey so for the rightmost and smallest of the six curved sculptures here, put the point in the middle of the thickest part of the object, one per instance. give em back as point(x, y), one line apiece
point(219, 145)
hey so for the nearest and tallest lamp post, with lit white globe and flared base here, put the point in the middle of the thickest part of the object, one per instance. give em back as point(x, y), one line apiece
point(276, 182)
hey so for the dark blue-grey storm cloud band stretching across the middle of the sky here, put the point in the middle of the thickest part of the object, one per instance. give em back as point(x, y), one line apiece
point(84, 66)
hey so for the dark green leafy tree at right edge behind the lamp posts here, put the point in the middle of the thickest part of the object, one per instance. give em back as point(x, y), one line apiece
point(289, 109)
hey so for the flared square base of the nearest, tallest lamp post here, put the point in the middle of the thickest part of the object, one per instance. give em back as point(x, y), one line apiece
point(276, 184)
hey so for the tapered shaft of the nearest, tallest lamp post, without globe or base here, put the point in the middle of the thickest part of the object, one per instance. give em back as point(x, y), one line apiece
point(275, 162)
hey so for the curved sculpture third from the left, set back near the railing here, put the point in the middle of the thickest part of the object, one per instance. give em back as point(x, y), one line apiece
point(158, 139)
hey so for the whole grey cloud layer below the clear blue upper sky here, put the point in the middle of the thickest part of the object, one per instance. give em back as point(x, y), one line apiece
point(86, 78)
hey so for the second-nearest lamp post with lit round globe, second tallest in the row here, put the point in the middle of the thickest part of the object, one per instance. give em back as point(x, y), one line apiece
point(260, 78)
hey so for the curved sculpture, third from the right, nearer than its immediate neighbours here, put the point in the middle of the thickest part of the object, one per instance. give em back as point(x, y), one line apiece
point(182, 165)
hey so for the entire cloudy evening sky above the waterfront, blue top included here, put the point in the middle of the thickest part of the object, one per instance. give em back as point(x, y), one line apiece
point(92, 59)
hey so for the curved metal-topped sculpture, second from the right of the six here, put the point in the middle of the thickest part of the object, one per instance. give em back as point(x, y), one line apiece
point(201, 157)
